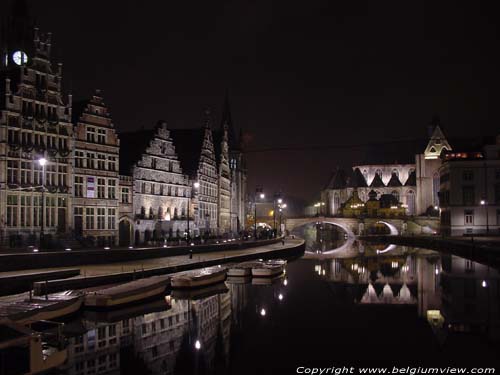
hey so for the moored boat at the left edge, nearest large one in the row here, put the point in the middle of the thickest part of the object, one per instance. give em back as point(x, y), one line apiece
point(55, 305)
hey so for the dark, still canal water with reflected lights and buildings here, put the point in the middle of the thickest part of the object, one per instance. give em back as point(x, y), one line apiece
point(360, 305)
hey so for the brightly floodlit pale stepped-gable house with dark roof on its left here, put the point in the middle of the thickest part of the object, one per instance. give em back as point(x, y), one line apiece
point(160, 188)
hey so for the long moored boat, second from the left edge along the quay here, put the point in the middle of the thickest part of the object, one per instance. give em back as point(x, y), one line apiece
point(130, 292)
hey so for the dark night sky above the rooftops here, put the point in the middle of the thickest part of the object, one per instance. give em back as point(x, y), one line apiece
point(308, 73)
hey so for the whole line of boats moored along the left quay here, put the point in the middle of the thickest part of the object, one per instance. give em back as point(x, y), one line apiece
point(17, 315)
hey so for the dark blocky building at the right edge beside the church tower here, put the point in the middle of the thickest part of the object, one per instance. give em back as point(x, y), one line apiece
point(470, 191)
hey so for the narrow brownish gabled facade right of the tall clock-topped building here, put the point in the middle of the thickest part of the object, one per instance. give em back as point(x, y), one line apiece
point(96, 177)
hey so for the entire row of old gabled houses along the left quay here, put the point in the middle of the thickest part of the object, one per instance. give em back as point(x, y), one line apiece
point(65, 173)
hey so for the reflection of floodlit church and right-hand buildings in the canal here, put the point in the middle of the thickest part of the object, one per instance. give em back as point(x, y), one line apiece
point(452, 293)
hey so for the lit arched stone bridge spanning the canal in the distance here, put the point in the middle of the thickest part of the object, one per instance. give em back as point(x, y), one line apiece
point(352, 226)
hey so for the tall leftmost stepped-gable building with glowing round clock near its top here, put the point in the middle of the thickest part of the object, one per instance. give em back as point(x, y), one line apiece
point(35, 125)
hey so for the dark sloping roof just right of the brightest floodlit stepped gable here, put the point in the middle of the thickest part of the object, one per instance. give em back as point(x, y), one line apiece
point(188, 144)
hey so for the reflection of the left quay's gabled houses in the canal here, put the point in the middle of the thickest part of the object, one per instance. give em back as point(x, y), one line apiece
point(189, 335)
